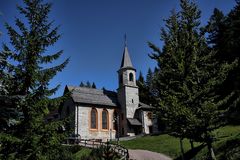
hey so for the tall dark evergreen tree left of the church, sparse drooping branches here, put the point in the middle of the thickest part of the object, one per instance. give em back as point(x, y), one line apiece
point(32, 137)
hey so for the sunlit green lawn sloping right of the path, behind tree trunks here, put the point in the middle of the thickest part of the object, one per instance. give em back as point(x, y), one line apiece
point(170, 146)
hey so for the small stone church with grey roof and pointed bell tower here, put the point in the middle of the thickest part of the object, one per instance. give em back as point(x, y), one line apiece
point(107, 115)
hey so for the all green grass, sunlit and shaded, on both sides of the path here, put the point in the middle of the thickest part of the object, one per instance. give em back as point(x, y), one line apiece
point(170, 146)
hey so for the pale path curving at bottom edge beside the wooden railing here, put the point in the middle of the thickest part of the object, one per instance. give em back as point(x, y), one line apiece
point(146, 155)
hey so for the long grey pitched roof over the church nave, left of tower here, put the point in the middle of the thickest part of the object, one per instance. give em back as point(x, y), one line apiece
point(93, 96)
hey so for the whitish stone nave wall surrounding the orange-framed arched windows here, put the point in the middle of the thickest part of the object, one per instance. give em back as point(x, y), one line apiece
point(83, 128)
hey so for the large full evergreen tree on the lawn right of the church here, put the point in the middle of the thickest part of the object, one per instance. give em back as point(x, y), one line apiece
point(188, 78)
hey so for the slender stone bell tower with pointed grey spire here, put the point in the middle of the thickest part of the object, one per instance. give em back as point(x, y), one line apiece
point(127, 90)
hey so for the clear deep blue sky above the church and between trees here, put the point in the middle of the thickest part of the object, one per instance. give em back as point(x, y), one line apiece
point(93, 30)
